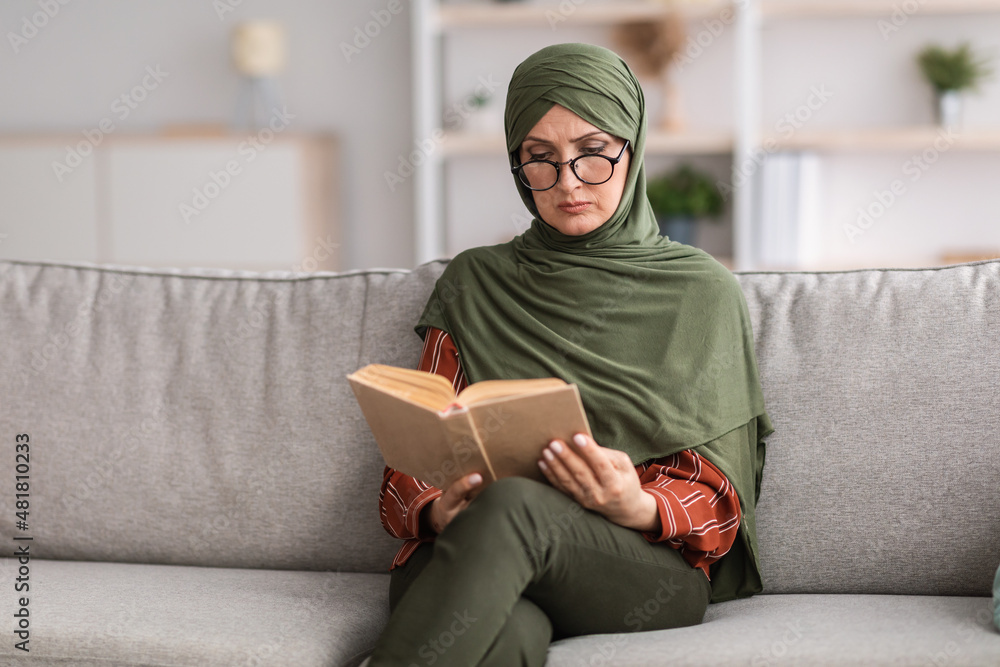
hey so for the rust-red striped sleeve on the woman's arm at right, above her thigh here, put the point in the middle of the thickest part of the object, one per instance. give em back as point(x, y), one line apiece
point(698, 507)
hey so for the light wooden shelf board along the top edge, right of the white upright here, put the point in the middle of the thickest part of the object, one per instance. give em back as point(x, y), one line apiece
point(884, 8)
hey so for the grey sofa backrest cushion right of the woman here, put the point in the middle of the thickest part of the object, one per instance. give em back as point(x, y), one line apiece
point(883, 473)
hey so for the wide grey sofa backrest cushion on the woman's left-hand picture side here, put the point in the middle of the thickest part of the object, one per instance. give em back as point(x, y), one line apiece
point(200, 417)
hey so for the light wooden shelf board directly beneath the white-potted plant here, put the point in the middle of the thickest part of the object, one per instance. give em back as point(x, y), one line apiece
point(888, 139)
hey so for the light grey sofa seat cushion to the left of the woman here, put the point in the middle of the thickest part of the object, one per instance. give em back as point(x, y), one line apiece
point(98, 613)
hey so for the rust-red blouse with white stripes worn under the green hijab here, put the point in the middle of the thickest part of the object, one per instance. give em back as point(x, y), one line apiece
point(698, 508)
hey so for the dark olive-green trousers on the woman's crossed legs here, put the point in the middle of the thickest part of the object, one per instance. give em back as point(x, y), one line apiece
point(524, 565)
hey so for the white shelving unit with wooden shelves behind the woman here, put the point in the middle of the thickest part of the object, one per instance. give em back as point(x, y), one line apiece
point(434, 22)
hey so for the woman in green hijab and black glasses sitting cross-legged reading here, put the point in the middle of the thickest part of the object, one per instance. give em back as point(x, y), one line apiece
point(642, 525)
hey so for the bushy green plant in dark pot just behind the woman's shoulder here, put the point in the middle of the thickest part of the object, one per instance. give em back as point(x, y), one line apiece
point(679, 198)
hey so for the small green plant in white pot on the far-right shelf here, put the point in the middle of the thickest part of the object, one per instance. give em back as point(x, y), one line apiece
point(952, 73)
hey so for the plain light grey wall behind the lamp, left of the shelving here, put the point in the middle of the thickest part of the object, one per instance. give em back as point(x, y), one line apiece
point(67, 76)
